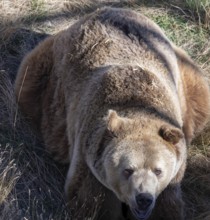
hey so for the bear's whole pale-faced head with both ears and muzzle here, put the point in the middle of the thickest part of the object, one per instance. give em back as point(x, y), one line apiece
point(142, 156)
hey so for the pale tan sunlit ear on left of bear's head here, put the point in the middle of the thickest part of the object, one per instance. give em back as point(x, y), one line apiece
point(114, 122)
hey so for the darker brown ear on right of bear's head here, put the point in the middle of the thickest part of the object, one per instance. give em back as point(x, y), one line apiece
point(170, 134)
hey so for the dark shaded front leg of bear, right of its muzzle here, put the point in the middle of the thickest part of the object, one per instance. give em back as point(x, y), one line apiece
point(169, 204)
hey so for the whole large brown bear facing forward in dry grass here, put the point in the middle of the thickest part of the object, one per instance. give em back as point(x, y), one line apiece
point(114, 98)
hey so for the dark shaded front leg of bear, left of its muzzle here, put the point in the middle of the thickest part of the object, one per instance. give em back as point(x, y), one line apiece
point(89, 199)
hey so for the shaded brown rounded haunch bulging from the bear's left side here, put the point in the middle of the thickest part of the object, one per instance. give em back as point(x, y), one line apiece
point(32, 80)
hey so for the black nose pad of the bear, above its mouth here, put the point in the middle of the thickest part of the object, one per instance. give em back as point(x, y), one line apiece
point(144, 200)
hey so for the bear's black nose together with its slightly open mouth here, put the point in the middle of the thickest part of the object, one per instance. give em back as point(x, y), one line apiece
point(143, 206)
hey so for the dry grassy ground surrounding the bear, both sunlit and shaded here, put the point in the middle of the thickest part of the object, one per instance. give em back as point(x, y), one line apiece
point(31, 184)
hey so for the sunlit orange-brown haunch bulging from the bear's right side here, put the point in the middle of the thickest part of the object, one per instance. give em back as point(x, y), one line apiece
point(196, 92)
